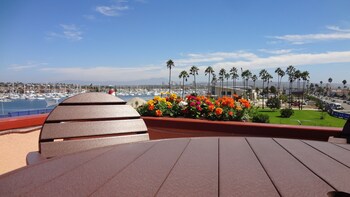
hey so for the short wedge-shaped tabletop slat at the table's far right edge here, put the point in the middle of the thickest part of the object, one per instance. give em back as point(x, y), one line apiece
point(332, 150)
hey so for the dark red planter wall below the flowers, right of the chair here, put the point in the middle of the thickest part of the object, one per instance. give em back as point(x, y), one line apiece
point(164, 127)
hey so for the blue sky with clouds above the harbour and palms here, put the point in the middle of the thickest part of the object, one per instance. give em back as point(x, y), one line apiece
point(126, 40)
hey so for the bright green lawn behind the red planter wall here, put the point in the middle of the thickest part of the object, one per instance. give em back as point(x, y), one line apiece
point(306, 117)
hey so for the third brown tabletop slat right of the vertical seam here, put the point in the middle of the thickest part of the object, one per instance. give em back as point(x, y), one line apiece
point(337, 175)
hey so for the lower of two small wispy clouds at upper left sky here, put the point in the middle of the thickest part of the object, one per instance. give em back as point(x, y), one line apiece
point(69, 32)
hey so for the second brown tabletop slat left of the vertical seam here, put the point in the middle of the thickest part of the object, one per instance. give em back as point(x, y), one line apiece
point(145, 176)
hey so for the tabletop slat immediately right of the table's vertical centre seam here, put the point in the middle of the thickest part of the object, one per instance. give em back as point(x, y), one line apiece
point(241, 174)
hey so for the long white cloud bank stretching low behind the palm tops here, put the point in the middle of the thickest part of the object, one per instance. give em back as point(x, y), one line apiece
point(227, 61)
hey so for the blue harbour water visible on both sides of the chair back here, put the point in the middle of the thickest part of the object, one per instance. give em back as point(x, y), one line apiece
point(27, 105)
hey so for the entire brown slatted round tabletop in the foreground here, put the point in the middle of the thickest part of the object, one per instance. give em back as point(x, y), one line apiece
point(211, 166)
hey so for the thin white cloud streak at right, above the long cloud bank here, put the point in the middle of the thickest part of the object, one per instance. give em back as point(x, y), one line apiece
point(337, 34)
